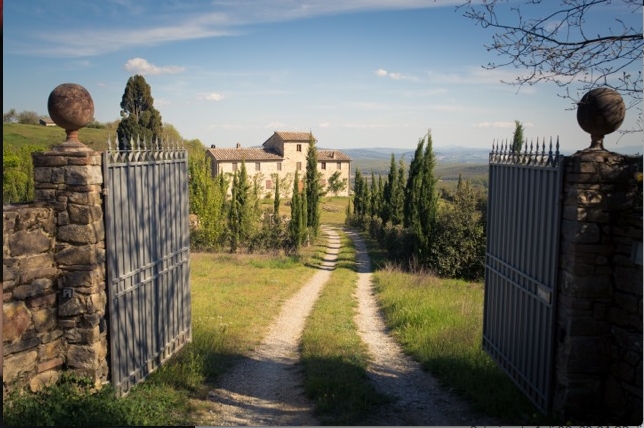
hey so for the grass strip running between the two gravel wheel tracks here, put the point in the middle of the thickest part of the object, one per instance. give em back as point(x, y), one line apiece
point(334, 357)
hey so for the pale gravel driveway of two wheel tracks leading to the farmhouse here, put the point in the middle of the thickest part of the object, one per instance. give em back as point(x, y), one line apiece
point(265, 389)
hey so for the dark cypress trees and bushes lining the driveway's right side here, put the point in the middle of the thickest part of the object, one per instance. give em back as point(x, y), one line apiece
point(418, 228)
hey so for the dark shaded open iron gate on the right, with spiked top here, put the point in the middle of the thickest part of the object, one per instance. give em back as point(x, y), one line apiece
point(524, 212)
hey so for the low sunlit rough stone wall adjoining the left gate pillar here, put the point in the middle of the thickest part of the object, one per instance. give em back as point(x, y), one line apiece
point(32, 343)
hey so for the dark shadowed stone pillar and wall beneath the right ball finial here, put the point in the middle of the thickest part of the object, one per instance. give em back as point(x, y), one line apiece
point(598, 361)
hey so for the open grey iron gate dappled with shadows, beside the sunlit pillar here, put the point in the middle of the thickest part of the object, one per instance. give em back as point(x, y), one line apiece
point(147, 257)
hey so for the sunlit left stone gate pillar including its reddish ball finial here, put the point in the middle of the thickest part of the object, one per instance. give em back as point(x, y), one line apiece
point(69, 178)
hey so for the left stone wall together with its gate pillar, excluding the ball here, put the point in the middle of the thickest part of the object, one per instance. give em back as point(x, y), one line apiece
point(53, 274)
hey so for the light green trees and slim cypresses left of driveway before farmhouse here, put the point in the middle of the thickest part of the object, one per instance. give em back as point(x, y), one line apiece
point(235, 220)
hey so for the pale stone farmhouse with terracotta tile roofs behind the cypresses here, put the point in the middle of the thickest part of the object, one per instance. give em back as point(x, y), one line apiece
point(283, 154)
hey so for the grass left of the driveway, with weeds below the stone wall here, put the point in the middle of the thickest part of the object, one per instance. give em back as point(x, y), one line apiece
point(234, 300)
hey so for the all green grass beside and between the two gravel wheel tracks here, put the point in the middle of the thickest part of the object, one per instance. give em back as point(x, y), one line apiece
point(234, 300)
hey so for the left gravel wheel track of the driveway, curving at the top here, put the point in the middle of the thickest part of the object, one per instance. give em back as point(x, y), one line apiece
point(266, 388)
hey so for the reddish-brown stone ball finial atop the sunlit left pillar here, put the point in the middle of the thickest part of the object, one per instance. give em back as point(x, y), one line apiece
point(71, 107)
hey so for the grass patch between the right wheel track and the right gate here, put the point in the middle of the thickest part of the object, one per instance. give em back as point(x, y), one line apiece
point(439, 323)
